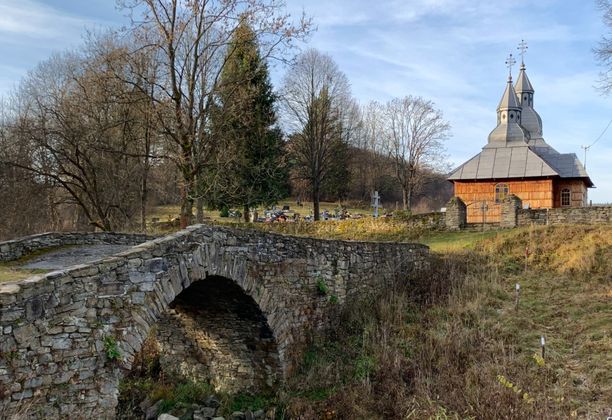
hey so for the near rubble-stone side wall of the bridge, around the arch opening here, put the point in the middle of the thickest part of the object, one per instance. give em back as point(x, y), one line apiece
point(59, 331)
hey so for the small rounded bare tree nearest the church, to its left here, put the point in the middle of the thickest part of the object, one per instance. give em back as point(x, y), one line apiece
point(413, 137)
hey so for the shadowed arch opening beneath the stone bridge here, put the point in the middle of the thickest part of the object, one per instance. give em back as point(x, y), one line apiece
point(215, 332)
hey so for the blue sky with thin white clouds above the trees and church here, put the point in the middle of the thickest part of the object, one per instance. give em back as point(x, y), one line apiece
point(452, 52)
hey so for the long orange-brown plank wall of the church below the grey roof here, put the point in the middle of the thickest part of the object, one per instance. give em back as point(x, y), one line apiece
point(536, 193)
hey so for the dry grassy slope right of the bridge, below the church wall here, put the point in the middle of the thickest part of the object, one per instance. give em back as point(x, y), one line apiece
point(450, 344)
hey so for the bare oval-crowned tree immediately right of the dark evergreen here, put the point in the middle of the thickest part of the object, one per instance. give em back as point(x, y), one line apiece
point(319, 112)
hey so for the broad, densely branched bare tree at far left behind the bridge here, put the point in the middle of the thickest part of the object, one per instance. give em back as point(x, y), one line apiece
point(81, 127)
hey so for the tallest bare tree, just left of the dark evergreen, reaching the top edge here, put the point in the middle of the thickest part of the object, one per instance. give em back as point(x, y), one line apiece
point(191, 39)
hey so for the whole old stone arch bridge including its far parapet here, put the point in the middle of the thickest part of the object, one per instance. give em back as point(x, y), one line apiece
point(265, 293)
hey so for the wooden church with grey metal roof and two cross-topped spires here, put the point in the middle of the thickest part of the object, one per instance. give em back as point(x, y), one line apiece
point(516, 160)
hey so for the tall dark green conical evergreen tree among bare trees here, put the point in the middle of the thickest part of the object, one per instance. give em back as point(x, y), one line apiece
point(254, 170)
